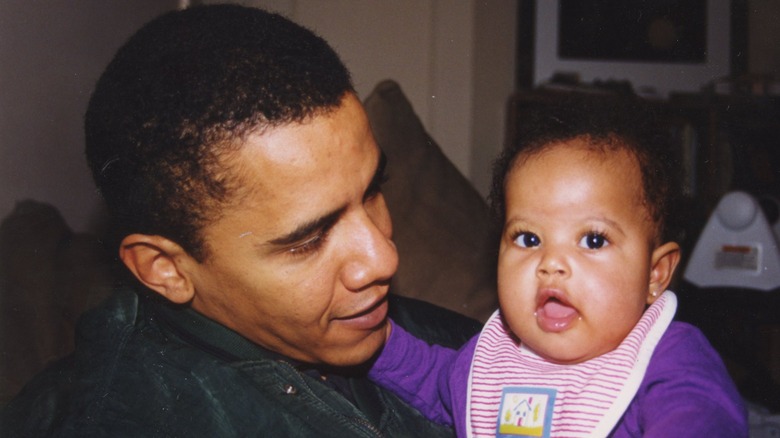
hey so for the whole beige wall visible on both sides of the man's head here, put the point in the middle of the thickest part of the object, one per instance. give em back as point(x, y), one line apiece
point(454, 60)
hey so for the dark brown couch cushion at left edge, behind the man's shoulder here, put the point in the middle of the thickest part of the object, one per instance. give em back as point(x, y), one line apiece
point(48, 277)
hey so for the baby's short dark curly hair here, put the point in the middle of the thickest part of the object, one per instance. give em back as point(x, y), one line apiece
point(607, 124)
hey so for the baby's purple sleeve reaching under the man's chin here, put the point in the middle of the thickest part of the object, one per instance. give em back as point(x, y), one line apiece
point(431, 378)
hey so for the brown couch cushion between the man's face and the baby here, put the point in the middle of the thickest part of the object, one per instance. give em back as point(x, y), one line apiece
point(446, 241)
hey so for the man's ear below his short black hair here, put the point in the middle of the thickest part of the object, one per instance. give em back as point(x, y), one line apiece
point(157, 262)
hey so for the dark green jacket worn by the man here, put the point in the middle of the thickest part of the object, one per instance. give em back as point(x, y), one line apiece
point(144, 369)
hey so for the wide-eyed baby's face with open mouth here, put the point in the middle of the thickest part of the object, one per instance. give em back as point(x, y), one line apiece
point(574, 271)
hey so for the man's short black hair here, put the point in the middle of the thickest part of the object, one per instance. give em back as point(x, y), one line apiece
point(181, 93)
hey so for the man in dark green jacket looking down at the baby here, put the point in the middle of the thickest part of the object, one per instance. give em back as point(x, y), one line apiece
point(244, 181)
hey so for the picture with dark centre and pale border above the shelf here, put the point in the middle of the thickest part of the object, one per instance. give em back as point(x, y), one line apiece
point(660, 45)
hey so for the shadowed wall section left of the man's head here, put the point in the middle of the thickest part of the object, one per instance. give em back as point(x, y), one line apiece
point(52, 53)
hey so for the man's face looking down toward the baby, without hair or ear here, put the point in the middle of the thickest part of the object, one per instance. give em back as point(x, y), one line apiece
point(301, 262)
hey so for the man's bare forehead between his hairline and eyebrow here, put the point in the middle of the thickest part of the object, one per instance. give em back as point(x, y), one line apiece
point(300, 172)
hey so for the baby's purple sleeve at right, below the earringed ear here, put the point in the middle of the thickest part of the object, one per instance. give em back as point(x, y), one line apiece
point(686, 392)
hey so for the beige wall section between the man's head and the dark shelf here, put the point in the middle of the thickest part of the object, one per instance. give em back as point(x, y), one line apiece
point(453, 59)
